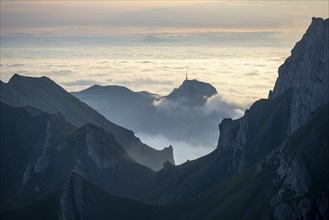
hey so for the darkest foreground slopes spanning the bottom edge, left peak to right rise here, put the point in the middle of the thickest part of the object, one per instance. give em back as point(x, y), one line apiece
point(287, 184)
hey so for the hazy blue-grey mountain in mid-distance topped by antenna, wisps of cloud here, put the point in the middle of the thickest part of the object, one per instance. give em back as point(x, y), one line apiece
point(188, 114)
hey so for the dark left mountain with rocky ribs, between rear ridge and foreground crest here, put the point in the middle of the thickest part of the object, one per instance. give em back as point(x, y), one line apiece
point(39, 150)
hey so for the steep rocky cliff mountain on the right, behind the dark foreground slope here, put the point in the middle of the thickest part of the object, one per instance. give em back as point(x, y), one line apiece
point(302, 87)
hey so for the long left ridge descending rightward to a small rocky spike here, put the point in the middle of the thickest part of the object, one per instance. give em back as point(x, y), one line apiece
point(44, 94)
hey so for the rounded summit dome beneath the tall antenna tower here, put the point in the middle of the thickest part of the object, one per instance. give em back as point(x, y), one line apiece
point(192, 92)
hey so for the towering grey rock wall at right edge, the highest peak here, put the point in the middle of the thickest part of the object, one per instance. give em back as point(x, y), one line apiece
point(306, 71)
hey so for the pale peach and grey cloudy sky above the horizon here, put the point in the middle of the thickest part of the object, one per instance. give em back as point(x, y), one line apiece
point(117, 17)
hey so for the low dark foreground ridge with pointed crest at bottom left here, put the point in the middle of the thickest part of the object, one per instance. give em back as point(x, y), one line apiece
point(81, 199)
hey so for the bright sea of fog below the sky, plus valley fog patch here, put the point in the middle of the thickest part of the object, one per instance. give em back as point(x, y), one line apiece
point(242, 66)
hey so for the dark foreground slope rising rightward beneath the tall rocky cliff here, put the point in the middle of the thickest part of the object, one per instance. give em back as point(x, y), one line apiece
point(290, 183)
